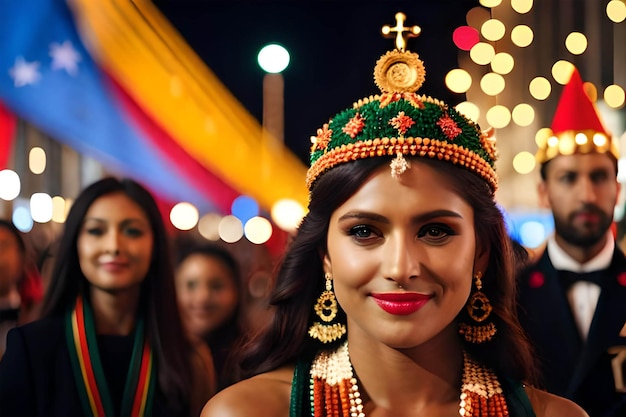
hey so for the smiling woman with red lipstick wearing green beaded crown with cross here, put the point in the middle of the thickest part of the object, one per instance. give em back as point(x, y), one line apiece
point(396, 297)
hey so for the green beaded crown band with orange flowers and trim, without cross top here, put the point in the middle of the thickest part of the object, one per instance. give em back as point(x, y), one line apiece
point(400, 116)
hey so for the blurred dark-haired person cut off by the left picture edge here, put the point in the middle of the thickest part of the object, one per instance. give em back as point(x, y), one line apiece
point(20, 283)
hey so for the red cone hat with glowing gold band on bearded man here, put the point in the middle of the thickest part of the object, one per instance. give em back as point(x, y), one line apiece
point(576, 127)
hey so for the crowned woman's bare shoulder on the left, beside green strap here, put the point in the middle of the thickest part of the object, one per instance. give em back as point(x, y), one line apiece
point(266, 394)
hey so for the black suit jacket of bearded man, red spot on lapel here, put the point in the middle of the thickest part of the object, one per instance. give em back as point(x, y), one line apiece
point(580, 371)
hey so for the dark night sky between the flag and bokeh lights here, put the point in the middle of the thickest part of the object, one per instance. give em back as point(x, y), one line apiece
point(334, 46)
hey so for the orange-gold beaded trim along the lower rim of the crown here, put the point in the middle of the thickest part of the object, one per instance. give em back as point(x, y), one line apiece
point(435, 149)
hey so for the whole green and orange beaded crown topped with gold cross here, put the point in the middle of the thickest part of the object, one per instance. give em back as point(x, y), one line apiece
point(398, 122)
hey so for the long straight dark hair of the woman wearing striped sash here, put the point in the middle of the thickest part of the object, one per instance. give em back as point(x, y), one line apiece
point(157, 304)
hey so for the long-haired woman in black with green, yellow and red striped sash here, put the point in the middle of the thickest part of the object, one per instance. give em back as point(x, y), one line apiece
point(111, 341)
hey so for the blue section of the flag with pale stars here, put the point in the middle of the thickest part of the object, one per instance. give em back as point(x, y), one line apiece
point(48, 78)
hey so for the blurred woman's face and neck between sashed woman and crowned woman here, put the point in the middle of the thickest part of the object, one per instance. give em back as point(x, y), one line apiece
point(209, 291)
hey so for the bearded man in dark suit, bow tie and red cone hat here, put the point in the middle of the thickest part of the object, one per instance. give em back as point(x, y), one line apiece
point(572, 299)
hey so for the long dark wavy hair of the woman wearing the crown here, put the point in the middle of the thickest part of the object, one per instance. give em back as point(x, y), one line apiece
point(299, 281)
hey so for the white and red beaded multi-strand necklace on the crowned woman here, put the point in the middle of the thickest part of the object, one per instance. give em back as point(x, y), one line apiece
point(335, 391)
